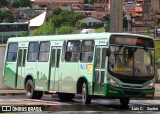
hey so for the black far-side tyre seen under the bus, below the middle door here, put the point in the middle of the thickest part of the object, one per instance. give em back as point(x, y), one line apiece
point(66, 96)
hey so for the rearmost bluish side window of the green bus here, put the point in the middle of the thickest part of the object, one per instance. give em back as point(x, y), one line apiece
point(12, 52)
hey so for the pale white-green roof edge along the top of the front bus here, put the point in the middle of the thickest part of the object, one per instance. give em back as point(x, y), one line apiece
point(104, 35)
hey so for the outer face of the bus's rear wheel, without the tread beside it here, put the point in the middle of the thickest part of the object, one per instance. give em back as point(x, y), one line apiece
point(29, 89)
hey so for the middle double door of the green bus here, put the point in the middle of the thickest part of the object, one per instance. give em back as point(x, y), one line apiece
point(54, 69)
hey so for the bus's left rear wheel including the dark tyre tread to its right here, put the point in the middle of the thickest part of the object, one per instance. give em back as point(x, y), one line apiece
point(30, 93)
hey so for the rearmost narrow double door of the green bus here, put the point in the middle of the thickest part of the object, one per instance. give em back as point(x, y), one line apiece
point(21, 67)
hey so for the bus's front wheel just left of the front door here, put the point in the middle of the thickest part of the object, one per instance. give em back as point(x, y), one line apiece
point(86, 99)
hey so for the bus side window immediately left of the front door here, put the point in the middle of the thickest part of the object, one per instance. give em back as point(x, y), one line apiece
point(87, 51)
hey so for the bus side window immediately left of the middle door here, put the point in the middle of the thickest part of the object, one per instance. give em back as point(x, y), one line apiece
point(44, 51)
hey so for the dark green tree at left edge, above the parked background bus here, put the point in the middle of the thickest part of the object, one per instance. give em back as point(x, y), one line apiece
point(6, 15)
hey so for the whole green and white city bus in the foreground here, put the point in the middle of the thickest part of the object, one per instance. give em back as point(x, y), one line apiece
point(108, 65)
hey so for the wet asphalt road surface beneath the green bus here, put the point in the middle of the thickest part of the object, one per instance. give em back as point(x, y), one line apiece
point(48, 104)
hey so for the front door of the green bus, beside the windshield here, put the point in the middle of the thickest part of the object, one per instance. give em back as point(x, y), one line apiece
point(99, 73)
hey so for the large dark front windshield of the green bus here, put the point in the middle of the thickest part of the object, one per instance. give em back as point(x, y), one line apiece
point(131, 61)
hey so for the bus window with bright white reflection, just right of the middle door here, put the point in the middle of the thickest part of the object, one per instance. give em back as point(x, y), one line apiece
point(73, 51)
